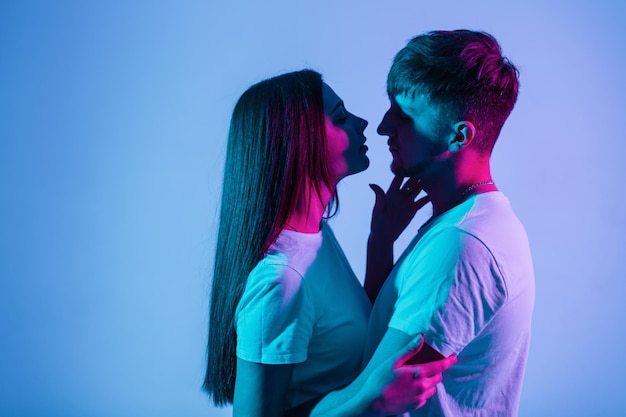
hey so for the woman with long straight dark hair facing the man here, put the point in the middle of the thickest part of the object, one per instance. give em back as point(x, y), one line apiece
point(288, 317)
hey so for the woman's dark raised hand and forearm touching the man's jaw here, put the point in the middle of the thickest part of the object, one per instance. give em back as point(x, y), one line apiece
point(393, 211)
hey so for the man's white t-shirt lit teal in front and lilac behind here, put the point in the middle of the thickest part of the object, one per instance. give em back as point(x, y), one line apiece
point(466, 283)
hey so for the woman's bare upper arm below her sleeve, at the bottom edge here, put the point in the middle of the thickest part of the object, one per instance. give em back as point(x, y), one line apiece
point(260, 389)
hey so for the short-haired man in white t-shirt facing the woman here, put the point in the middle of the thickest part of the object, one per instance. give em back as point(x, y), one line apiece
point(466, 282)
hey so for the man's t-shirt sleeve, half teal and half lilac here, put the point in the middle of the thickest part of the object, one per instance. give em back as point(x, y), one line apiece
point(450, 292)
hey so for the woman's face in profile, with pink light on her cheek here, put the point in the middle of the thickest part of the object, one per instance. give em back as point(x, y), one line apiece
point(344, 133)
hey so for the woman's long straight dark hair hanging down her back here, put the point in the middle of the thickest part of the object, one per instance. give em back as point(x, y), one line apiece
point(276, 158)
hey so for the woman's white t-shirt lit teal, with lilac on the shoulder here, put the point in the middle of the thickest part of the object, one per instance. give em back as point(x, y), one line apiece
point(303, 305)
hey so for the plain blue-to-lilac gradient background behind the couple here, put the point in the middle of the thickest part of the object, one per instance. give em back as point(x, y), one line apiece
point(113, 120)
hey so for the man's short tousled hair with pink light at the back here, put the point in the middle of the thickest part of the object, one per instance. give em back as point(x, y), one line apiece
point(463, 72)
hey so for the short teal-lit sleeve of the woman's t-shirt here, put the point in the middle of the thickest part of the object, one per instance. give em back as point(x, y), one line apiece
point(275, 316)
